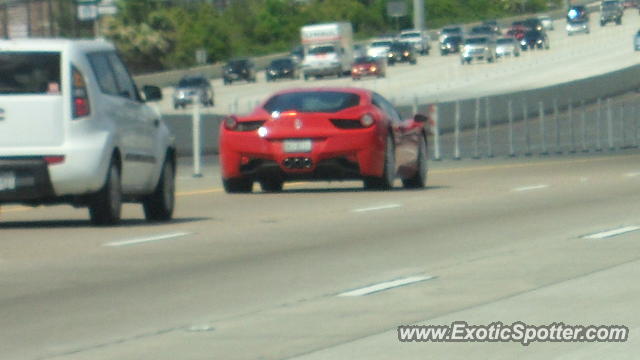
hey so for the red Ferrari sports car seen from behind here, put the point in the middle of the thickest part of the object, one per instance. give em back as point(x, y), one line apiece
point(323, 134)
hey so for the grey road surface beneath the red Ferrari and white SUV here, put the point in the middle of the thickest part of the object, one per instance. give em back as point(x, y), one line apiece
point(257, 276)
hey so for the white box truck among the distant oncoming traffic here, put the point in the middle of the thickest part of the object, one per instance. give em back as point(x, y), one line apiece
point(328, 49)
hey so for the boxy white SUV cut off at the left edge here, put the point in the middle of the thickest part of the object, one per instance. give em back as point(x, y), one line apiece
point(75, 129)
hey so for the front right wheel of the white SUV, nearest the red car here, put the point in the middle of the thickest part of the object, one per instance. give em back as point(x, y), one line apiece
point(159, 205)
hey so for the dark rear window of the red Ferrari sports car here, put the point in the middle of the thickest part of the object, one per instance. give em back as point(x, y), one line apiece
point(312, 101)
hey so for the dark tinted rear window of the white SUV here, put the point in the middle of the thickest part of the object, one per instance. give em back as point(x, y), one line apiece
point(29, 73)
